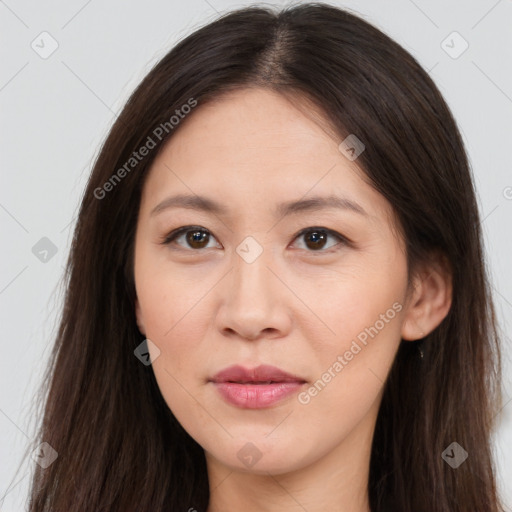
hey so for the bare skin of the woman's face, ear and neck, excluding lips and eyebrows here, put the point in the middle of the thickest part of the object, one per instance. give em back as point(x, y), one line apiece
point(294, 307)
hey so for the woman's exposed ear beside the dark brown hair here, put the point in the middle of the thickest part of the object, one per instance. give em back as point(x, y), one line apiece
point(430, 298)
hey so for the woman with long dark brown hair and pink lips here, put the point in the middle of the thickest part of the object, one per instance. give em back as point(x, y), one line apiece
point(277, 297)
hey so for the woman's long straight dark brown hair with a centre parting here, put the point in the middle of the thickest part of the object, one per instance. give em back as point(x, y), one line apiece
point(119, 446)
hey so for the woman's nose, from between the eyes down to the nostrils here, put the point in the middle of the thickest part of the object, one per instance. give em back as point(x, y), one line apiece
point(253, 301)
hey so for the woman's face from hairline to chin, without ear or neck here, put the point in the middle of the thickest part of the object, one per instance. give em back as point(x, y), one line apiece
point(246, 277)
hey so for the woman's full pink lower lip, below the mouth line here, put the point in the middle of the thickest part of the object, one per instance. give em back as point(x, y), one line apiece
point(256, 396)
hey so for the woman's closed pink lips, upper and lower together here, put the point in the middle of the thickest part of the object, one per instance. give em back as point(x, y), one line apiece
point(255, 388)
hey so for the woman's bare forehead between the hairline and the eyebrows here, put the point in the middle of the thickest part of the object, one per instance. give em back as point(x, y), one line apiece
point(253, 148)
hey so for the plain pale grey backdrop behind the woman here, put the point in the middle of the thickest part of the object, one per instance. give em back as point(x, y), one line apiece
point(67, 69)
